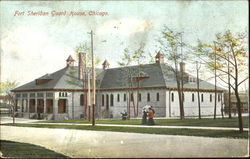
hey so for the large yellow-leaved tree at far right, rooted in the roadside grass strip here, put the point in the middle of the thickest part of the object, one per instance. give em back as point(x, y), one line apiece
point(230, 48)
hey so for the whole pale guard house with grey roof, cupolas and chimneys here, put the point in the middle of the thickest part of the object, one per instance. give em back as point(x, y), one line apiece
point(64, 94)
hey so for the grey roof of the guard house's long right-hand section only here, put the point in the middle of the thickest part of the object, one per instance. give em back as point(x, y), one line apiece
point(156, 75)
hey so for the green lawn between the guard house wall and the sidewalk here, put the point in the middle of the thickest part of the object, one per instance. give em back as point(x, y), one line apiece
point(207, 122)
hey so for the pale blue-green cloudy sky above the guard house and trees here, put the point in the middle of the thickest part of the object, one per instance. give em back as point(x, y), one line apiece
point(33, 45)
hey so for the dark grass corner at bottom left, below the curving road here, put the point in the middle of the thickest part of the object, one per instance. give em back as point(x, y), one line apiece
point(12, 149)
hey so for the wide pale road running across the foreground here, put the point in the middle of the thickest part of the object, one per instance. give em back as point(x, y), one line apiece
point(83, 143)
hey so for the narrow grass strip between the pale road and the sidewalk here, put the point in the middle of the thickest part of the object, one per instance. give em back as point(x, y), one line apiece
point(165, 131)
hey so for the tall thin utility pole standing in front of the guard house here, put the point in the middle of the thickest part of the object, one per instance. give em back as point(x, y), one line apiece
point(93, 81)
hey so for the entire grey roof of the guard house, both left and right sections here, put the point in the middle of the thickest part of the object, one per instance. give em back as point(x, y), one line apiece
point(150, 75)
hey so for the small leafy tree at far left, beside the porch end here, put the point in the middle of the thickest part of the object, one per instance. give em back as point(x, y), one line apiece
point(6, 88)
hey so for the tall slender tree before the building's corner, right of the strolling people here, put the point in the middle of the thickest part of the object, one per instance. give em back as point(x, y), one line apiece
point(172, 41)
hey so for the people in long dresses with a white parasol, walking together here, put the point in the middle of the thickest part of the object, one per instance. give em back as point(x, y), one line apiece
point(148, 115)
